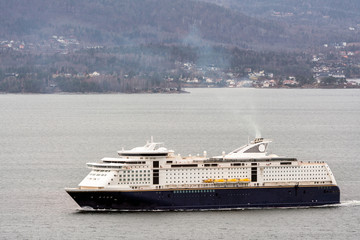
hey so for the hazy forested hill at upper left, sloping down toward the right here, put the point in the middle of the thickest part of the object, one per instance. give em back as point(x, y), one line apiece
point(113, 22)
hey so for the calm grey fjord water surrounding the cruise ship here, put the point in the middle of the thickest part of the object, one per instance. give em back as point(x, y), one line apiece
point(46, 140)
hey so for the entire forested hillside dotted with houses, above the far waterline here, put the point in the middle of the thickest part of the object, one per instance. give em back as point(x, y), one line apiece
point(161, 45)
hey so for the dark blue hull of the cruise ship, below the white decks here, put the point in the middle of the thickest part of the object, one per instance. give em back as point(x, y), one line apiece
point(219, 198)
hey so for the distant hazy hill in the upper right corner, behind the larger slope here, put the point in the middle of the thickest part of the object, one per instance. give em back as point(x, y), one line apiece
point(312, 21)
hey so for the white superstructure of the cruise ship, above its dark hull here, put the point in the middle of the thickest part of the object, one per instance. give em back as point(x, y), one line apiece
point(155, 167)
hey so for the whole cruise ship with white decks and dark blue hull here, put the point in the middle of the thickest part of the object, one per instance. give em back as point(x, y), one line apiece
point(155, 178)
